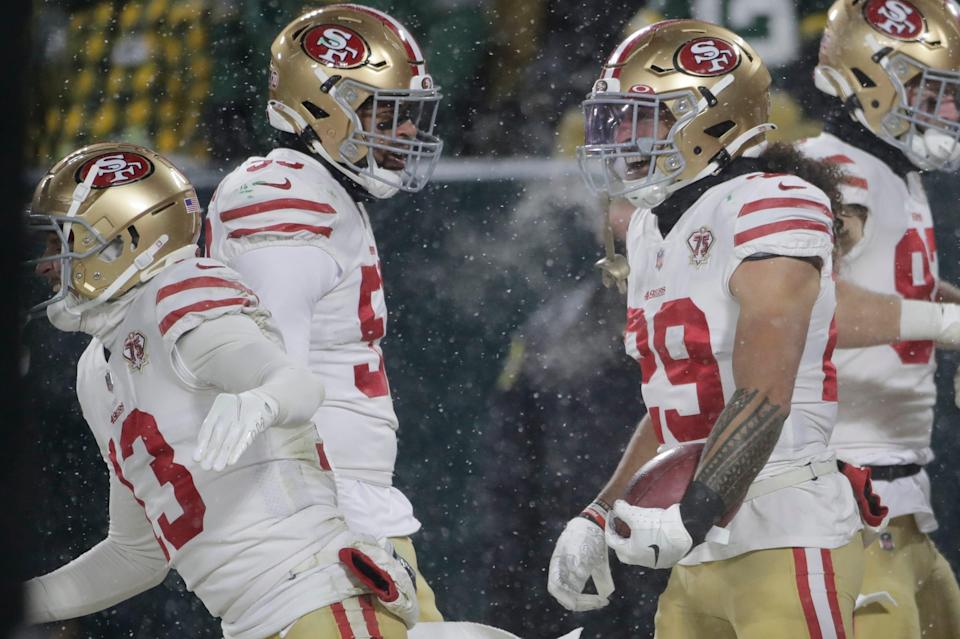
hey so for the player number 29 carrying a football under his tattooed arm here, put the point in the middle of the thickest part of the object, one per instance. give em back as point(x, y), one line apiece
point(731, 302)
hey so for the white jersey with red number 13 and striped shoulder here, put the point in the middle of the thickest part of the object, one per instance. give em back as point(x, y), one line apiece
point(256, 542)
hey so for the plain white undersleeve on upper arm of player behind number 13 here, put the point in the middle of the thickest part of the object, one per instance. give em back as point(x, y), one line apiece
point(289, 280)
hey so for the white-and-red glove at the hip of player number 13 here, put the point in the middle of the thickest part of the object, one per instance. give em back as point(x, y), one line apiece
point(378, 567)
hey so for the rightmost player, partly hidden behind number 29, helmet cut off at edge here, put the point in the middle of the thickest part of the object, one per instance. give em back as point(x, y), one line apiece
point(894, 68)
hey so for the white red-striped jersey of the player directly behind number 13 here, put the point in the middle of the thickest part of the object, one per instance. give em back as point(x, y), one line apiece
point(290, 199)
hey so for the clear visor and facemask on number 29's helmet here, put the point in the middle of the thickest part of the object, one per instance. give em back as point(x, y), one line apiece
point(631, 141)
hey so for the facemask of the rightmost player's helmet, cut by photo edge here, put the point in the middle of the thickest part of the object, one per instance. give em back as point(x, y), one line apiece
point(925, 124)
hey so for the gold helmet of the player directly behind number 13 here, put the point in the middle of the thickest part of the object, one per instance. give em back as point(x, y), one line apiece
point(332, 62)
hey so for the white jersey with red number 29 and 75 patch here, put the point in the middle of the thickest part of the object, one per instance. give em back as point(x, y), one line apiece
point(681, 326)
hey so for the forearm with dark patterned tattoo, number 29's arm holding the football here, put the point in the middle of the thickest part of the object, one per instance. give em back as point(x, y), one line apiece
point(739, 445)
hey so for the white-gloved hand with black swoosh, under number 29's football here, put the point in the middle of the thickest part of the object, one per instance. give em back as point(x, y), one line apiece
point(658, 538)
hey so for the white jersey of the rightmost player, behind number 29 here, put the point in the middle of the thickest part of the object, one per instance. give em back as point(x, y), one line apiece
point(887, 393)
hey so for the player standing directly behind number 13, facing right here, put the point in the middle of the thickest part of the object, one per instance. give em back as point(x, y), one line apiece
point(355, 106)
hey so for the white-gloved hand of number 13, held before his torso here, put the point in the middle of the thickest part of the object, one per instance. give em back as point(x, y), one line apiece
point(230, 427)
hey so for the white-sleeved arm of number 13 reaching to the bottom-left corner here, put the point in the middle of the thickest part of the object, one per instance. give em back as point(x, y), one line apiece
point(126, 563)
